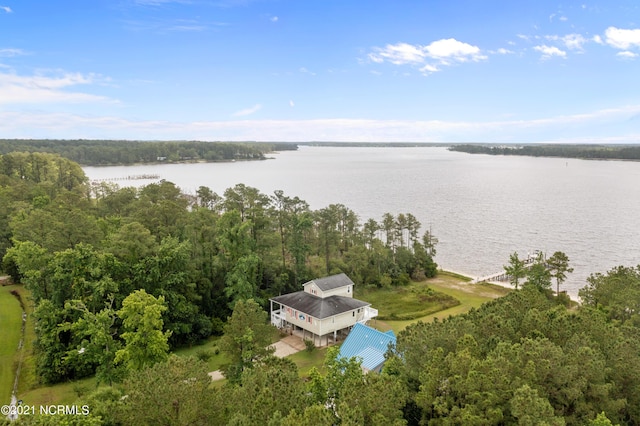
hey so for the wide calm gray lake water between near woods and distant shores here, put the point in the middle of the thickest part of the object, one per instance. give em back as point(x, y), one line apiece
point(481, 208)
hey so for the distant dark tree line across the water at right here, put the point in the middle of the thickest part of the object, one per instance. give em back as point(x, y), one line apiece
point(589, 152)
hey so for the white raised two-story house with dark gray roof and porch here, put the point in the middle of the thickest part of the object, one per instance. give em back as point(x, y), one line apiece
point(323, 309)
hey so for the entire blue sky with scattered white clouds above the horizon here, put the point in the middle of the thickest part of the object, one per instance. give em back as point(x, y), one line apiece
point(308, 70)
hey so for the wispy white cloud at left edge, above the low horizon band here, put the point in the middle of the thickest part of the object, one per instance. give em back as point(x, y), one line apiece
point(16, 89)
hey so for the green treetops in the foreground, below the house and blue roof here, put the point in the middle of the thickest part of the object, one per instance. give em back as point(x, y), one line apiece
point(522, 359)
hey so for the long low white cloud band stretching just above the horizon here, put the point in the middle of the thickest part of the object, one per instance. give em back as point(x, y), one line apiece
point(65, 126)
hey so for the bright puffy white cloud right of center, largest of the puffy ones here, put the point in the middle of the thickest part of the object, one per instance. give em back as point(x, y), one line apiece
point(432, 57)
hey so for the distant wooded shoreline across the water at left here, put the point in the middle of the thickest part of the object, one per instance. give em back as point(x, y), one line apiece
point(123, 152)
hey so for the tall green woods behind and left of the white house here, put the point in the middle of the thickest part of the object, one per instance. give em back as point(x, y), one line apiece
point(94, 255)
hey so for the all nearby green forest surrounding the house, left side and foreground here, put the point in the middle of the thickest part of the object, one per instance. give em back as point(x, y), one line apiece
point(119, 276)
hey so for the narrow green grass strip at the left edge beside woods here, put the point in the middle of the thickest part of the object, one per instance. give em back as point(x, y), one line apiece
point(11, 325)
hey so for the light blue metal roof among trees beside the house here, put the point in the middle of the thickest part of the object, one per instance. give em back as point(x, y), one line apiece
point(368, 344)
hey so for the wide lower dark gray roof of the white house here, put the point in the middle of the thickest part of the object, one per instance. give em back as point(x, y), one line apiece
point(319, 307)
